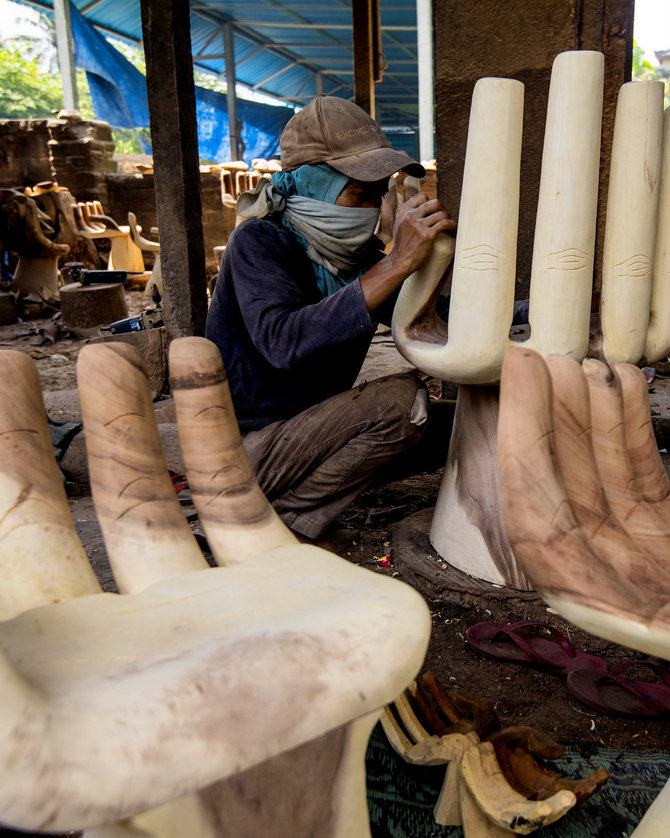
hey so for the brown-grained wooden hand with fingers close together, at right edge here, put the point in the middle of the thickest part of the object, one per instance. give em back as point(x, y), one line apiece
point(584, 497)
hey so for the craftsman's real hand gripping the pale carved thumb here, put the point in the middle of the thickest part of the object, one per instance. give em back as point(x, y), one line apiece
point(418, 222)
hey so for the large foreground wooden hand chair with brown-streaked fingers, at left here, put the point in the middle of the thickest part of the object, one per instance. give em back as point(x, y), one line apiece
point(271, 670)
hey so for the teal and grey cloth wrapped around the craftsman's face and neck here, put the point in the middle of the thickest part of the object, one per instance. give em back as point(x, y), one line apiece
point(334, 237)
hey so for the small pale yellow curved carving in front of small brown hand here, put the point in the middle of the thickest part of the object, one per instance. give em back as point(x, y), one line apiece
point(501, 803)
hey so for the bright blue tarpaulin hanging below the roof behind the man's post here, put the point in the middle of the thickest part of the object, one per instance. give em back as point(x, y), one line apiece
point(119, 94)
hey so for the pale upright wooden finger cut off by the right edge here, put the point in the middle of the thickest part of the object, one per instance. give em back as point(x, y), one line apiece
point(657, 345)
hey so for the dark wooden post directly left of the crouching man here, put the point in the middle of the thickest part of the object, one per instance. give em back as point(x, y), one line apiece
point(167, 47)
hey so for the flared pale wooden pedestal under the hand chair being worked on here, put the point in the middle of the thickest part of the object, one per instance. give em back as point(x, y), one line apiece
point(467, 528)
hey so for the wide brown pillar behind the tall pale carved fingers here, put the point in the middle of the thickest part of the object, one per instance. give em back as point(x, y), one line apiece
point(520, 39)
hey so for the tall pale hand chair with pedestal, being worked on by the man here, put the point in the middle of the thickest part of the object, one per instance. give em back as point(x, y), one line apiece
point(635, 301)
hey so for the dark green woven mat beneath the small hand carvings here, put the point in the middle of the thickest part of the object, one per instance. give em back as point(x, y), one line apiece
point(401, 797)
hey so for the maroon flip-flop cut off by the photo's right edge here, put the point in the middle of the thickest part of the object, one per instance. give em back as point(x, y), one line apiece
point(611, 693)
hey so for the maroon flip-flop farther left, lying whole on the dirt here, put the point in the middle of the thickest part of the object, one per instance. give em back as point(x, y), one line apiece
point(528, 643)
